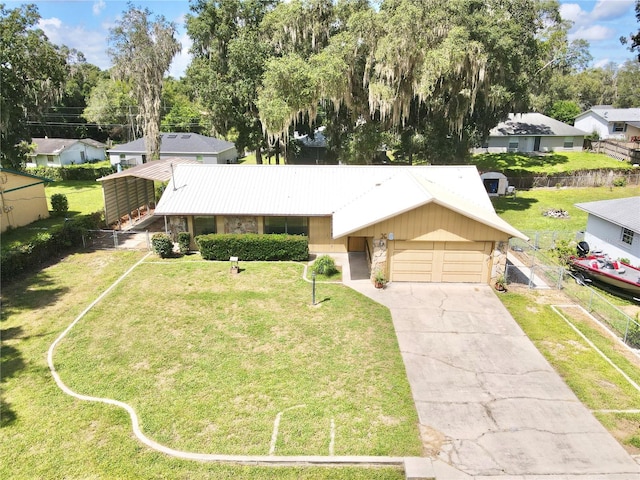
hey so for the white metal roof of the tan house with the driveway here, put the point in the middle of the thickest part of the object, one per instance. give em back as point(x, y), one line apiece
point(356, 196)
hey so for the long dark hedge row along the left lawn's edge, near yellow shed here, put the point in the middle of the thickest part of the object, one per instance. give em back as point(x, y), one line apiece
point(46, 246)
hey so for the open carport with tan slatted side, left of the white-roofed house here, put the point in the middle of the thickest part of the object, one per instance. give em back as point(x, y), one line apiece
point(128, 193)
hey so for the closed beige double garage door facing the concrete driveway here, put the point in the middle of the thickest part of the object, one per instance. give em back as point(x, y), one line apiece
point(440, 262)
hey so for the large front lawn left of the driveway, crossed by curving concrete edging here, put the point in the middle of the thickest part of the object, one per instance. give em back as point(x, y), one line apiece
point(45, 432)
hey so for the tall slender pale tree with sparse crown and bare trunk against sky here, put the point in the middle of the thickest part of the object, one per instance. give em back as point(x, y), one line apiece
point(142, 50)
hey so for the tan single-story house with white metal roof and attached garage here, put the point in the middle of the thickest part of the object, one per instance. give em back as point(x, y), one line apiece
point(419, 224)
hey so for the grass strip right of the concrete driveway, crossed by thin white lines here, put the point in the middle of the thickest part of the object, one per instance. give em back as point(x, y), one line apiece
point(595, 382)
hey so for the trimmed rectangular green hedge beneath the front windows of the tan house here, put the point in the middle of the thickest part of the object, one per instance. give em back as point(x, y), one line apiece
point(252, 247)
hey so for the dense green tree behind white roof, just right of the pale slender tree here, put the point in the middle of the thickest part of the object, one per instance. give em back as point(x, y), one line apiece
point(227, 67)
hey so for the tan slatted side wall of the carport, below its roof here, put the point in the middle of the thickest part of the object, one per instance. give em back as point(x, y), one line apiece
point(125, 195)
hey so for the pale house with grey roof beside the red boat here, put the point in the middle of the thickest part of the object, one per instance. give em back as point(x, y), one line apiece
point(613, 226)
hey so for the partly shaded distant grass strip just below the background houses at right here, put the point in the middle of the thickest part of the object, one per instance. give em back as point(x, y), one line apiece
point(553, 163)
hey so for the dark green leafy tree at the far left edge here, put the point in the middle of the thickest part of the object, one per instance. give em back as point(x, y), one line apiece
point(32, 75)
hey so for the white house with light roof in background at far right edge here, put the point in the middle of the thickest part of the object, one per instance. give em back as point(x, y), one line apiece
point(609, 122)
